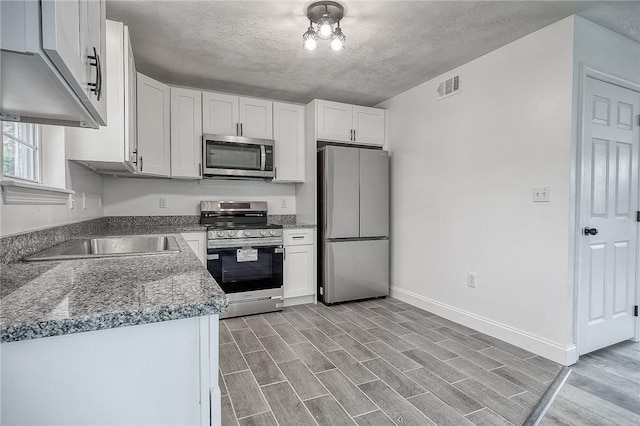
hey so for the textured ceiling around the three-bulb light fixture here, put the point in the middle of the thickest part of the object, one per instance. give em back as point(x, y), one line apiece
point(254, 48)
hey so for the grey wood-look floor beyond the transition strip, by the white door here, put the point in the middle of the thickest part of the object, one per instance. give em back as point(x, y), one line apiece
point(602, 389)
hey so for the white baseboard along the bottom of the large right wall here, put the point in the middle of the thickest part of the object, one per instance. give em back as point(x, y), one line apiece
point(544, 348)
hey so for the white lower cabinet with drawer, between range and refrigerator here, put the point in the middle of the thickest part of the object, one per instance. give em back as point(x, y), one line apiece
point(299, 266)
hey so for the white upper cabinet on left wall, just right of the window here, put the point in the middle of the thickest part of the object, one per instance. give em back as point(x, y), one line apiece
point(112, 148)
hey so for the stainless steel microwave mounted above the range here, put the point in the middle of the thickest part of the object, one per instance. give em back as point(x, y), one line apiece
point(237, 156)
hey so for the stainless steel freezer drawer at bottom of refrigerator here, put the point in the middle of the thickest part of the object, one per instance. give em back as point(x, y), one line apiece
point(356, 270)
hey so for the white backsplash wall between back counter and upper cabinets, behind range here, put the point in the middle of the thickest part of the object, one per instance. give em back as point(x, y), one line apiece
point(141, 197)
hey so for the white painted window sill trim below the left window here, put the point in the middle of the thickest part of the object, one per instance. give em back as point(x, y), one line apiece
point(18, 192)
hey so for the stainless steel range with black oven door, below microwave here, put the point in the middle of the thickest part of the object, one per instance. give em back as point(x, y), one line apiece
point(244, 255)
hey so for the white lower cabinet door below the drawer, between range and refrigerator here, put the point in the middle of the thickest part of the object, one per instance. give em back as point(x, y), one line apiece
point(298, 271)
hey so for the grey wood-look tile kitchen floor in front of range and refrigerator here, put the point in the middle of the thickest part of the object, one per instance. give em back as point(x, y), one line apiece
point(378, 362)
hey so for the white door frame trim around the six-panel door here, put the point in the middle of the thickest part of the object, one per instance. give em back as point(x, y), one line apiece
point(577, 172)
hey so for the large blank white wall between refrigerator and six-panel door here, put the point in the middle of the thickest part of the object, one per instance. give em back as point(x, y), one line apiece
point(463, 170)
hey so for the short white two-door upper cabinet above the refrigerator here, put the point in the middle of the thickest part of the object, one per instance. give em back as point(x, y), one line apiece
point(350, 123)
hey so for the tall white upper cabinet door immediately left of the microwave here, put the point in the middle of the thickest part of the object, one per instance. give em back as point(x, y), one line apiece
point(186, 133)
